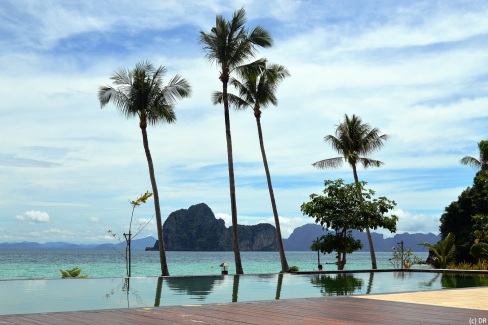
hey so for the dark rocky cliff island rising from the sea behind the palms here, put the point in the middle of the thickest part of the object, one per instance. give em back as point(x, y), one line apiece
point(197, 229)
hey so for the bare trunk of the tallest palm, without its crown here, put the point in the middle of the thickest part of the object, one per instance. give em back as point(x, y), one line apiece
point(230, 162)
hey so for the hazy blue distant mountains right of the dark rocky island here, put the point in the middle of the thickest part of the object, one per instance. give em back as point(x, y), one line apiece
point(302, 237)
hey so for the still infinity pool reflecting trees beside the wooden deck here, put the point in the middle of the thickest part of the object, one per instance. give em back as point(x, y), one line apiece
point(40, 296)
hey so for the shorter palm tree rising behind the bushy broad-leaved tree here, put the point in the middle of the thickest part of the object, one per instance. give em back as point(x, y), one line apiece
point(353, 139)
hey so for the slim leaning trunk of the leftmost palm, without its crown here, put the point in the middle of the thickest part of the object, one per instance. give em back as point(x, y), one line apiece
point(162, 252)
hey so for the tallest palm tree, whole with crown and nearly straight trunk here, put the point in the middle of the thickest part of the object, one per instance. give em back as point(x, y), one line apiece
point(229, 44)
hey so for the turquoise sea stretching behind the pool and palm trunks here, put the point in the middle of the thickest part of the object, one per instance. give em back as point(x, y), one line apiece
point(46, 264)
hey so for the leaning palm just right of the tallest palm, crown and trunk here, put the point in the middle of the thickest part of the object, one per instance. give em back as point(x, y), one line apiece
point(257, 90)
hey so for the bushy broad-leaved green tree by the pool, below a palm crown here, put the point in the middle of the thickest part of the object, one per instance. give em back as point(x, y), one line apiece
point(345, 207)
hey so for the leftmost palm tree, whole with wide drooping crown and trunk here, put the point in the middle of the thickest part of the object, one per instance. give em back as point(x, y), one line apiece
point(140, 92)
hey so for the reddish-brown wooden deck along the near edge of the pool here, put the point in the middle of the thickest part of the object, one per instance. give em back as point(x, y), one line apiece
point(327, 310)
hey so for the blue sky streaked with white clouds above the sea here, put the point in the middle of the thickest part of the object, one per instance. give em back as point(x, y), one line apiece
point(416, 70)
